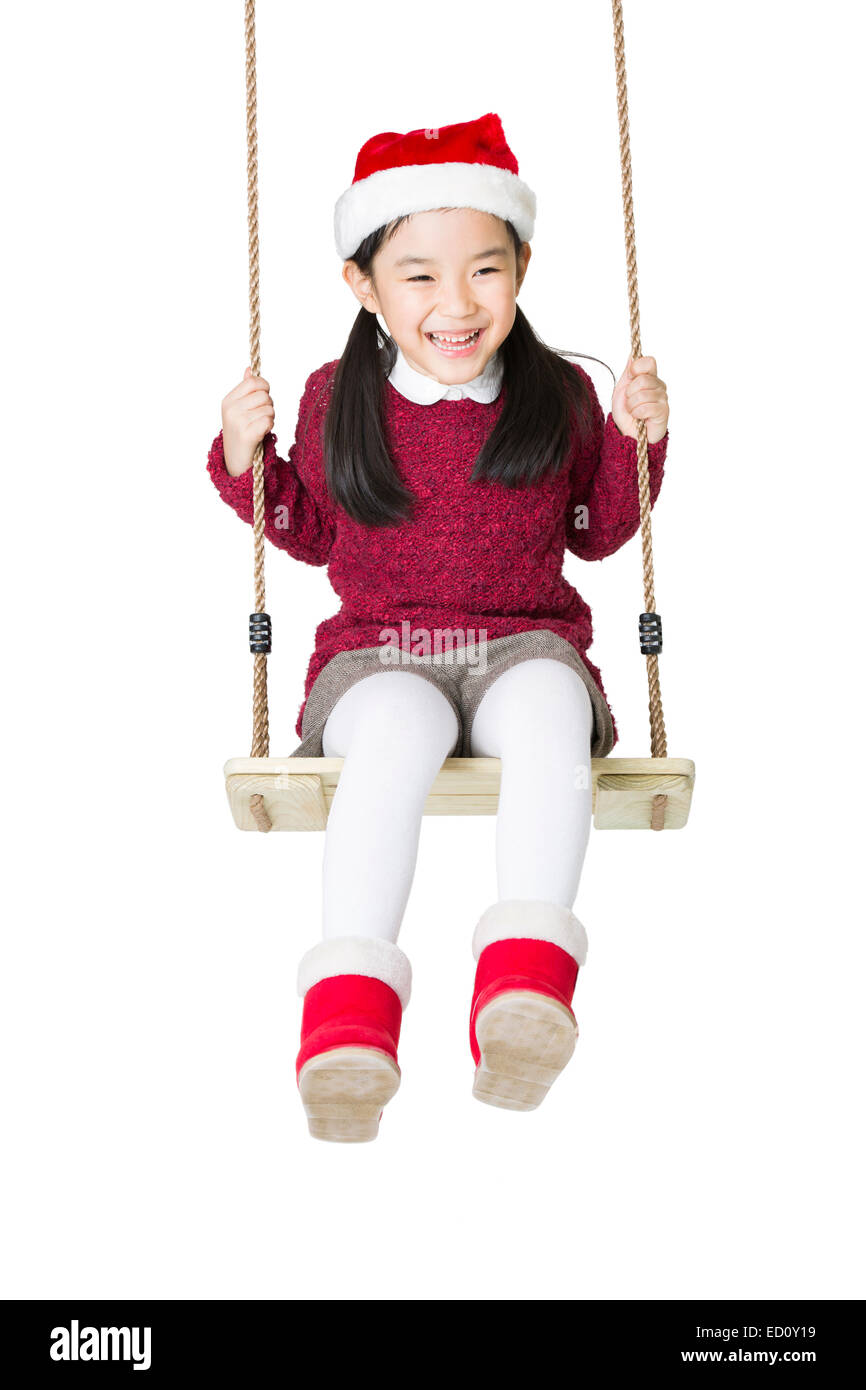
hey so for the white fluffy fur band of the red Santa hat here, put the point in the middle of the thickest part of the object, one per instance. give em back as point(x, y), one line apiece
point(418, 188)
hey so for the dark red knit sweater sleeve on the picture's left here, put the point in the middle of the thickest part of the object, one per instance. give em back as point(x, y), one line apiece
point(294, 521)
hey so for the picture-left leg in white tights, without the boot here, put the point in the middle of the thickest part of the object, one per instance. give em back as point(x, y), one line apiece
point(394, 730)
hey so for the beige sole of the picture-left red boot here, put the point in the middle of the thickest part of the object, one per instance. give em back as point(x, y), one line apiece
point(344, 1093)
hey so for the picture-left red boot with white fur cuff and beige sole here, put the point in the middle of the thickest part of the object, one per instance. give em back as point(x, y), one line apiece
point(355, 990)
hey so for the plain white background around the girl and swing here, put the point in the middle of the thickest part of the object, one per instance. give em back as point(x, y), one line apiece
point(707, 1139)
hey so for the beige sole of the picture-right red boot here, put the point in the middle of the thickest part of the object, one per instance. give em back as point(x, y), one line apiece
point(526, 1039)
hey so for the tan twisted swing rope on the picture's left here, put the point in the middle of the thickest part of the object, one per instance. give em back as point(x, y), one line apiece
point(261, 747)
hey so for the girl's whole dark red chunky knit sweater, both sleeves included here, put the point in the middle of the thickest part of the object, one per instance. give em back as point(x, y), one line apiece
point(477, 555)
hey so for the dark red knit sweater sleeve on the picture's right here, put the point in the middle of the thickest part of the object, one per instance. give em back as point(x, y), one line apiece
point(605, 487)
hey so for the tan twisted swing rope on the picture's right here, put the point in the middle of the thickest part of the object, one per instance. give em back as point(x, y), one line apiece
point(657, 715)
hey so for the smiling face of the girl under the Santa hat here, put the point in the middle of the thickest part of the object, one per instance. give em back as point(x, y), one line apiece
point(451, 273)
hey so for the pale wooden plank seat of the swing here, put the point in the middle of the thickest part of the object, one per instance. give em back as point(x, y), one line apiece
point(298, 792)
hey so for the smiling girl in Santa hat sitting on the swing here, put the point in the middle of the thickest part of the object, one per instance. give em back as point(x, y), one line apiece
point(441, 468)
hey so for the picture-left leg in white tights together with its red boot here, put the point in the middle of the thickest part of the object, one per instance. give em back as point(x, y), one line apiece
point(394, 732)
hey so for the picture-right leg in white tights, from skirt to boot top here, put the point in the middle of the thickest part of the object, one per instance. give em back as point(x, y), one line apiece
point(537, 718)
